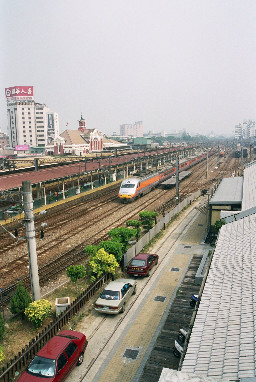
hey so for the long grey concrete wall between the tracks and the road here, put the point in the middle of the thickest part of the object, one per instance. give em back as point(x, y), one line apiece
point(145, 239)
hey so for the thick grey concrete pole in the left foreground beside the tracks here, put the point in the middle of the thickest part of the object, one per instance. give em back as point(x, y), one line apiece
point(31, 239)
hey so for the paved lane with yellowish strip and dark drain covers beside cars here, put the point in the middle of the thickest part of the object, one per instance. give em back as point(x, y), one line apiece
point(119, 346)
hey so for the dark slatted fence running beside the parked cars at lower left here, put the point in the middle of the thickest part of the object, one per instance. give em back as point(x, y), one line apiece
point(19, 362)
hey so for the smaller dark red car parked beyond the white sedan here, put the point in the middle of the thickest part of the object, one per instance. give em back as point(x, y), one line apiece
point(141, 264)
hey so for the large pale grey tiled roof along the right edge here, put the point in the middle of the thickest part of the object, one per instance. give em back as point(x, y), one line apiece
point(223, 339)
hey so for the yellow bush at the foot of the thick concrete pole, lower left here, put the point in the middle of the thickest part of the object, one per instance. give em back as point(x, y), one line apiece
point(37, 311)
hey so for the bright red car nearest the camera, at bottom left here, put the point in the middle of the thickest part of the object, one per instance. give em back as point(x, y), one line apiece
point(57, 358)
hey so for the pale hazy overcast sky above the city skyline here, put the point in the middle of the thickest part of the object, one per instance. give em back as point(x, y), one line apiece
point(173, 64)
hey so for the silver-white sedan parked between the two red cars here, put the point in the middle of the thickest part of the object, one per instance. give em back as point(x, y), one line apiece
point(115, 296)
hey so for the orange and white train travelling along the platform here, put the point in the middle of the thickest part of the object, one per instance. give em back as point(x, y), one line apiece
point(136, 186)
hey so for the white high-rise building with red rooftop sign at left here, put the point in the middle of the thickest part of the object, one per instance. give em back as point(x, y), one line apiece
point(28, 122)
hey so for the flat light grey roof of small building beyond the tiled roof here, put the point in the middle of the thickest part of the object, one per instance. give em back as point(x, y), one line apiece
point(230, 191)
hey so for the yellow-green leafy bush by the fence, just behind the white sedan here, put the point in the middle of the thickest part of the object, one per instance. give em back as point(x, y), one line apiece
point(101, 263)
